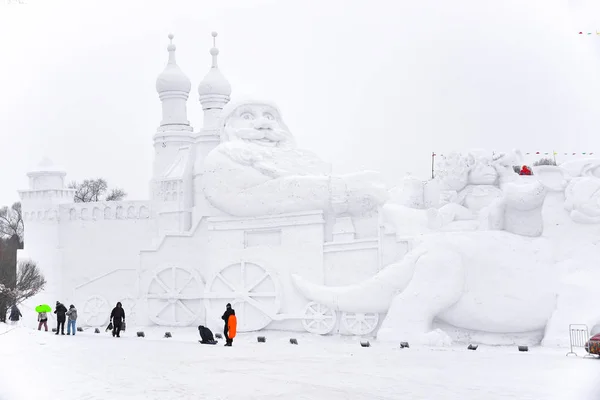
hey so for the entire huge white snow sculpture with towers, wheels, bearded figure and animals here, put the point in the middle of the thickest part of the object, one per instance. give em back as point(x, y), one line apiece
point(239, 214)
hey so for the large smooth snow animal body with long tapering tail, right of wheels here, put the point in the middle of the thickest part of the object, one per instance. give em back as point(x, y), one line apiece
point(493, 282)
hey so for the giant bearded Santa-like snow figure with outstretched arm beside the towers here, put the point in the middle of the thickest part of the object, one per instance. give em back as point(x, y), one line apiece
point(258, 170)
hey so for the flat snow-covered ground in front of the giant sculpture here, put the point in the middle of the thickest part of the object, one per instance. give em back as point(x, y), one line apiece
point(40, 365)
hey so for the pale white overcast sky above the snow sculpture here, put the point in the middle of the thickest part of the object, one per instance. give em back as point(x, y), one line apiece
point(365, 84)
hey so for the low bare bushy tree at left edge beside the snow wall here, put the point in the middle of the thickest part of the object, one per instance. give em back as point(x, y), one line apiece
point(29, 282)
